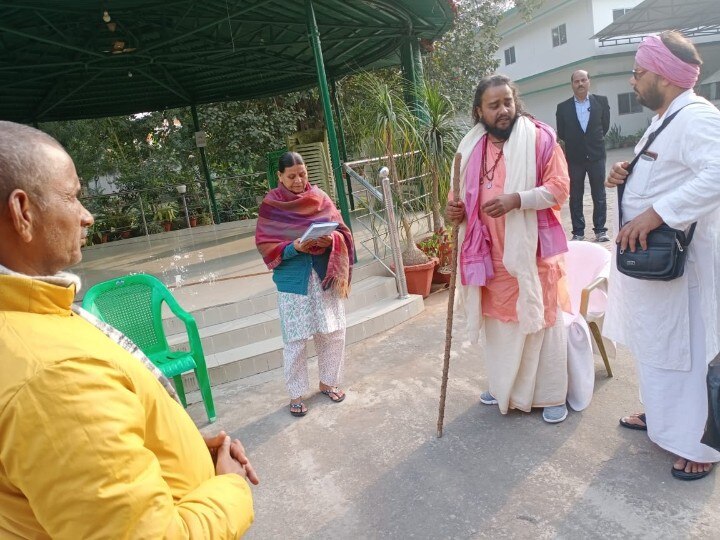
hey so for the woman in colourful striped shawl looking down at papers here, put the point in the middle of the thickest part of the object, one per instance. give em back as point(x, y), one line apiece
point(312, 277)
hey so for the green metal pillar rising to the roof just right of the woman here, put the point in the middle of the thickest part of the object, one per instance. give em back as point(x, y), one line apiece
point(314, 37)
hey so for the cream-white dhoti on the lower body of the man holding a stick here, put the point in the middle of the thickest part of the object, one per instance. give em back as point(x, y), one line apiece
point(526, 370)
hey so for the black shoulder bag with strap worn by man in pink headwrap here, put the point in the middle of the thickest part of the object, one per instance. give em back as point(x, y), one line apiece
point(664, 258)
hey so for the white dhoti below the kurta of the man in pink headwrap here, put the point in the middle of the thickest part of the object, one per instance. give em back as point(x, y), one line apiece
point(676, 401)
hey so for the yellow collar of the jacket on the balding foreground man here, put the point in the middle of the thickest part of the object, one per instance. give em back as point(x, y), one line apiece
point(27, 294)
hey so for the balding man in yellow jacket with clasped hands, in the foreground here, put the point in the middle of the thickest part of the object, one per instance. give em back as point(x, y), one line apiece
point(92, 445)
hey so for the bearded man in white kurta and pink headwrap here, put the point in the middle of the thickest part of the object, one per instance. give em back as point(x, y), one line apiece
point(672, 327)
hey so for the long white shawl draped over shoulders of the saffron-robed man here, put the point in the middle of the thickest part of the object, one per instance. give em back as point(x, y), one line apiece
point(521, 233)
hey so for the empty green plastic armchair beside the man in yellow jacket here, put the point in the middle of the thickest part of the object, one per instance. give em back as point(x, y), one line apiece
point(133, 305)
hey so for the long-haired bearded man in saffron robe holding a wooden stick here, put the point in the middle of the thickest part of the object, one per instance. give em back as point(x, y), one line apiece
point(512, 168)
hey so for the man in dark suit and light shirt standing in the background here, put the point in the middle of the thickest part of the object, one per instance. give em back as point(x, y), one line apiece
point(582, 122)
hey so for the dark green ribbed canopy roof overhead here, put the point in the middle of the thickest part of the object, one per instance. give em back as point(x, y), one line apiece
point(90, 58)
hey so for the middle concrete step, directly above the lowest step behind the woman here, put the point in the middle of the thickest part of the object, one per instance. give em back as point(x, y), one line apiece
point(243, 331)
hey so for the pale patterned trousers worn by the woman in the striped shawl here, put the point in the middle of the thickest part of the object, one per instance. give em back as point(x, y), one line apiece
point(330, 350)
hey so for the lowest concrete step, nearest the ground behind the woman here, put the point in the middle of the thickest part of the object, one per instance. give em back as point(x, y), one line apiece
point(266, 354)
